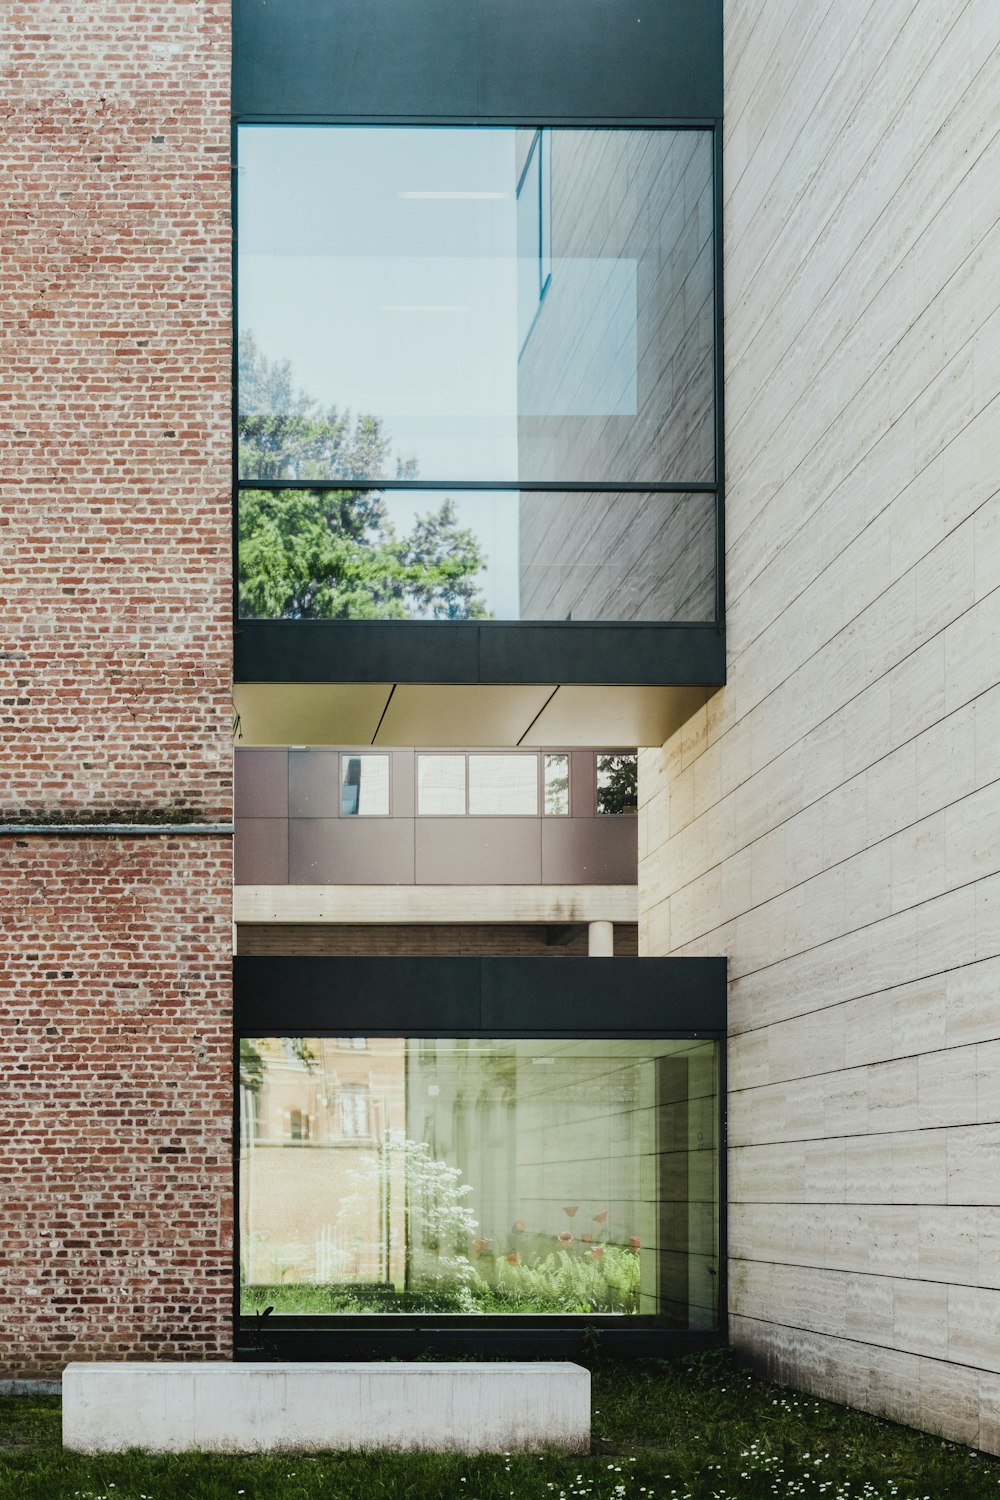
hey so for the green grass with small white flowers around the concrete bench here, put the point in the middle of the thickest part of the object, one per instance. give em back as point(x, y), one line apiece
point(686, 1430)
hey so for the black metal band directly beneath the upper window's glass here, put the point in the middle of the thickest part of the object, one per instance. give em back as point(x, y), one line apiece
point(466, 652)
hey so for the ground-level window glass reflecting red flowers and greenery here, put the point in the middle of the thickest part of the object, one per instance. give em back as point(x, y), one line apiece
point(481, 1177)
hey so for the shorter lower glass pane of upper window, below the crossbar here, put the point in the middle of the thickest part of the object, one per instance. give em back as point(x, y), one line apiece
point(476, 556)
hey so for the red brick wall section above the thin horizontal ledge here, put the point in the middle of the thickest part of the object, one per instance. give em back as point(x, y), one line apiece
point(115, 406)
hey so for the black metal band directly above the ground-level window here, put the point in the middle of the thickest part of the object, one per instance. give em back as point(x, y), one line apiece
point(485, 997)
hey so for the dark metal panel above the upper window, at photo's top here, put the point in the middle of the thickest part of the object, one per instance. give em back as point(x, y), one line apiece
point(479, 59)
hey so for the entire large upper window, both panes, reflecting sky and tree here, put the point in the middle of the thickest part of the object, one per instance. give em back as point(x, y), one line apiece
point(476, 311)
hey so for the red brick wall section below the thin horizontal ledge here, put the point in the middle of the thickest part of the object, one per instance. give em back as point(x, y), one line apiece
point(116, 1234)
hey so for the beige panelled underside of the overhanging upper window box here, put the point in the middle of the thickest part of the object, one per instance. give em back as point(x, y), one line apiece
point(428, 715)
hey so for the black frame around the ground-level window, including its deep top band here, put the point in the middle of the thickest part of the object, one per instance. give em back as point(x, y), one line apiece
point(499, 998)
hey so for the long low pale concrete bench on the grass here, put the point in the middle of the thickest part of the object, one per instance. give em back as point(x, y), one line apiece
point(257, 1408)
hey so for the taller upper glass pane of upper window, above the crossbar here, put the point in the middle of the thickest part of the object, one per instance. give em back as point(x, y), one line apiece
point(487, 304)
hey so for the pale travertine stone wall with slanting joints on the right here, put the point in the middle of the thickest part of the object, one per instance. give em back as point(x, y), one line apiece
point(830, 821)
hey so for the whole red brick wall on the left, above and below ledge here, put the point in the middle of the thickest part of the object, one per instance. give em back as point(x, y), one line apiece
point(115, 682)
